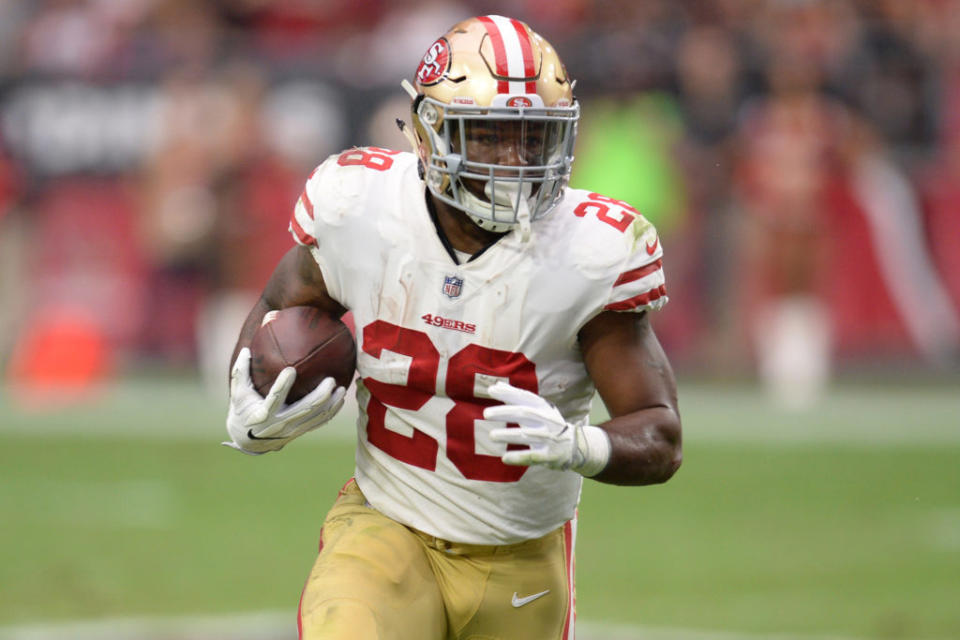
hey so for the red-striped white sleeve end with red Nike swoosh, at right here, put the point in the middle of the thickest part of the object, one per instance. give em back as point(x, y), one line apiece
point(640, 284)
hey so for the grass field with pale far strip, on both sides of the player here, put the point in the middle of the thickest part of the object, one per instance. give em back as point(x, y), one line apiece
point(844, 522)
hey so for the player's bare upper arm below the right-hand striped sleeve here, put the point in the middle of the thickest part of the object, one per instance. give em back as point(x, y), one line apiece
point(627, 364)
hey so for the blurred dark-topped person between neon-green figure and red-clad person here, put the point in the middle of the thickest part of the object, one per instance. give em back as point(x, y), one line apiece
point(711, 86)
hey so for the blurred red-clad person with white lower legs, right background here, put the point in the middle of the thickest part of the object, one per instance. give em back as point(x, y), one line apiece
point(789, 141)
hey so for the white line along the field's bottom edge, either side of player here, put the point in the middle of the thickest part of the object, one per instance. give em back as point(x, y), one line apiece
point(282, 626)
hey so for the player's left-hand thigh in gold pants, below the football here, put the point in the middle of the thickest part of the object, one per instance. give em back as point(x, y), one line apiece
point(371, 580)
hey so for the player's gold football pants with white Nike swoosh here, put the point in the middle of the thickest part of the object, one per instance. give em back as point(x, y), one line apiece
point(376, 579)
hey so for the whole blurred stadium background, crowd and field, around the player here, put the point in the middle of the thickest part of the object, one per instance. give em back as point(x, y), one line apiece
point(801, 159)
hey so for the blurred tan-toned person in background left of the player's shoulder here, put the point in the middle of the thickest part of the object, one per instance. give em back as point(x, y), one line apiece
point(205, 126)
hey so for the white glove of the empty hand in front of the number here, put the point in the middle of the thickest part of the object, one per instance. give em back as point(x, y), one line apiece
point(552, 441)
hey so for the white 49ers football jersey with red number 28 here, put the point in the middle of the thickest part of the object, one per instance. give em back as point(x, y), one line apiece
point(433, 335)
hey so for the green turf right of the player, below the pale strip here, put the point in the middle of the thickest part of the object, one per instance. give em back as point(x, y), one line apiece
point(825, 540)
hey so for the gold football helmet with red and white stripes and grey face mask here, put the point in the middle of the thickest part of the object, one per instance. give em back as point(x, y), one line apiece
point(495, 121)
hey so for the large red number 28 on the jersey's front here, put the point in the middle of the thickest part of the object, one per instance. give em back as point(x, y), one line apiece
point(420, 449)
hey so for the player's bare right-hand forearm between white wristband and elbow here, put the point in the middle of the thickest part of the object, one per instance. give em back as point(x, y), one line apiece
point(645, 447)
